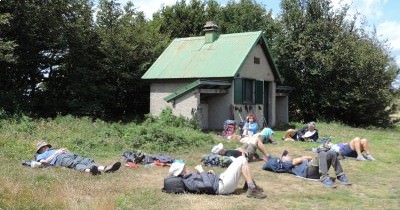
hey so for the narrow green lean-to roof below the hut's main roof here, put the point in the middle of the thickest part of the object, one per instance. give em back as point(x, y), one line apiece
point(195, 84)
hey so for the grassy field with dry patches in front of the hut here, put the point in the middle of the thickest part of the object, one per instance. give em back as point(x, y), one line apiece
point(375, 184)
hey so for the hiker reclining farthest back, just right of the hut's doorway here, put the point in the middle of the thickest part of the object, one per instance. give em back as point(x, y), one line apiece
point(308, 133)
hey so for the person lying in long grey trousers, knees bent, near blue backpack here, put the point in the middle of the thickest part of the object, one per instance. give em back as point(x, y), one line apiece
point(314, 167)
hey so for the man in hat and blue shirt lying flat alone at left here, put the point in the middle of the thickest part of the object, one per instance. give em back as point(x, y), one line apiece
point(47, 156)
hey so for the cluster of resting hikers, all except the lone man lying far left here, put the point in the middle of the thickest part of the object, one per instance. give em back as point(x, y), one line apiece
point(316, 167)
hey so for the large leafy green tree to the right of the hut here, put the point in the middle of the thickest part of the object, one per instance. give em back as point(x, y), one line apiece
point(339, 71)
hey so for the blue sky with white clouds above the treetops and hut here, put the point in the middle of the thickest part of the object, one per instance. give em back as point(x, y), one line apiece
point(379, 14)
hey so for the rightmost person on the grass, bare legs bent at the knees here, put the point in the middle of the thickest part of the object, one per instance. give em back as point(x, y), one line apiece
point(354, 148)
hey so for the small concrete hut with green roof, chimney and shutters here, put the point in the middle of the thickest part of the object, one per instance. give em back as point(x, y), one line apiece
point(217, 77)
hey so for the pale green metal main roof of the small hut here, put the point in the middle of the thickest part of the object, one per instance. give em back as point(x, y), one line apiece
point(193, 58)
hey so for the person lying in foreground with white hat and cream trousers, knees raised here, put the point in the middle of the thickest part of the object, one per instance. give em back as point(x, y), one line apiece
point(218, 184)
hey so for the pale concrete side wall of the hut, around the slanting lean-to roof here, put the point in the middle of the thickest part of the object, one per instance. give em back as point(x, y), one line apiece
point(184, 105)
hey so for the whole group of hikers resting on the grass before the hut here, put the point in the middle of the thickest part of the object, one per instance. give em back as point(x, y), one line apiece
point(225, 183)
